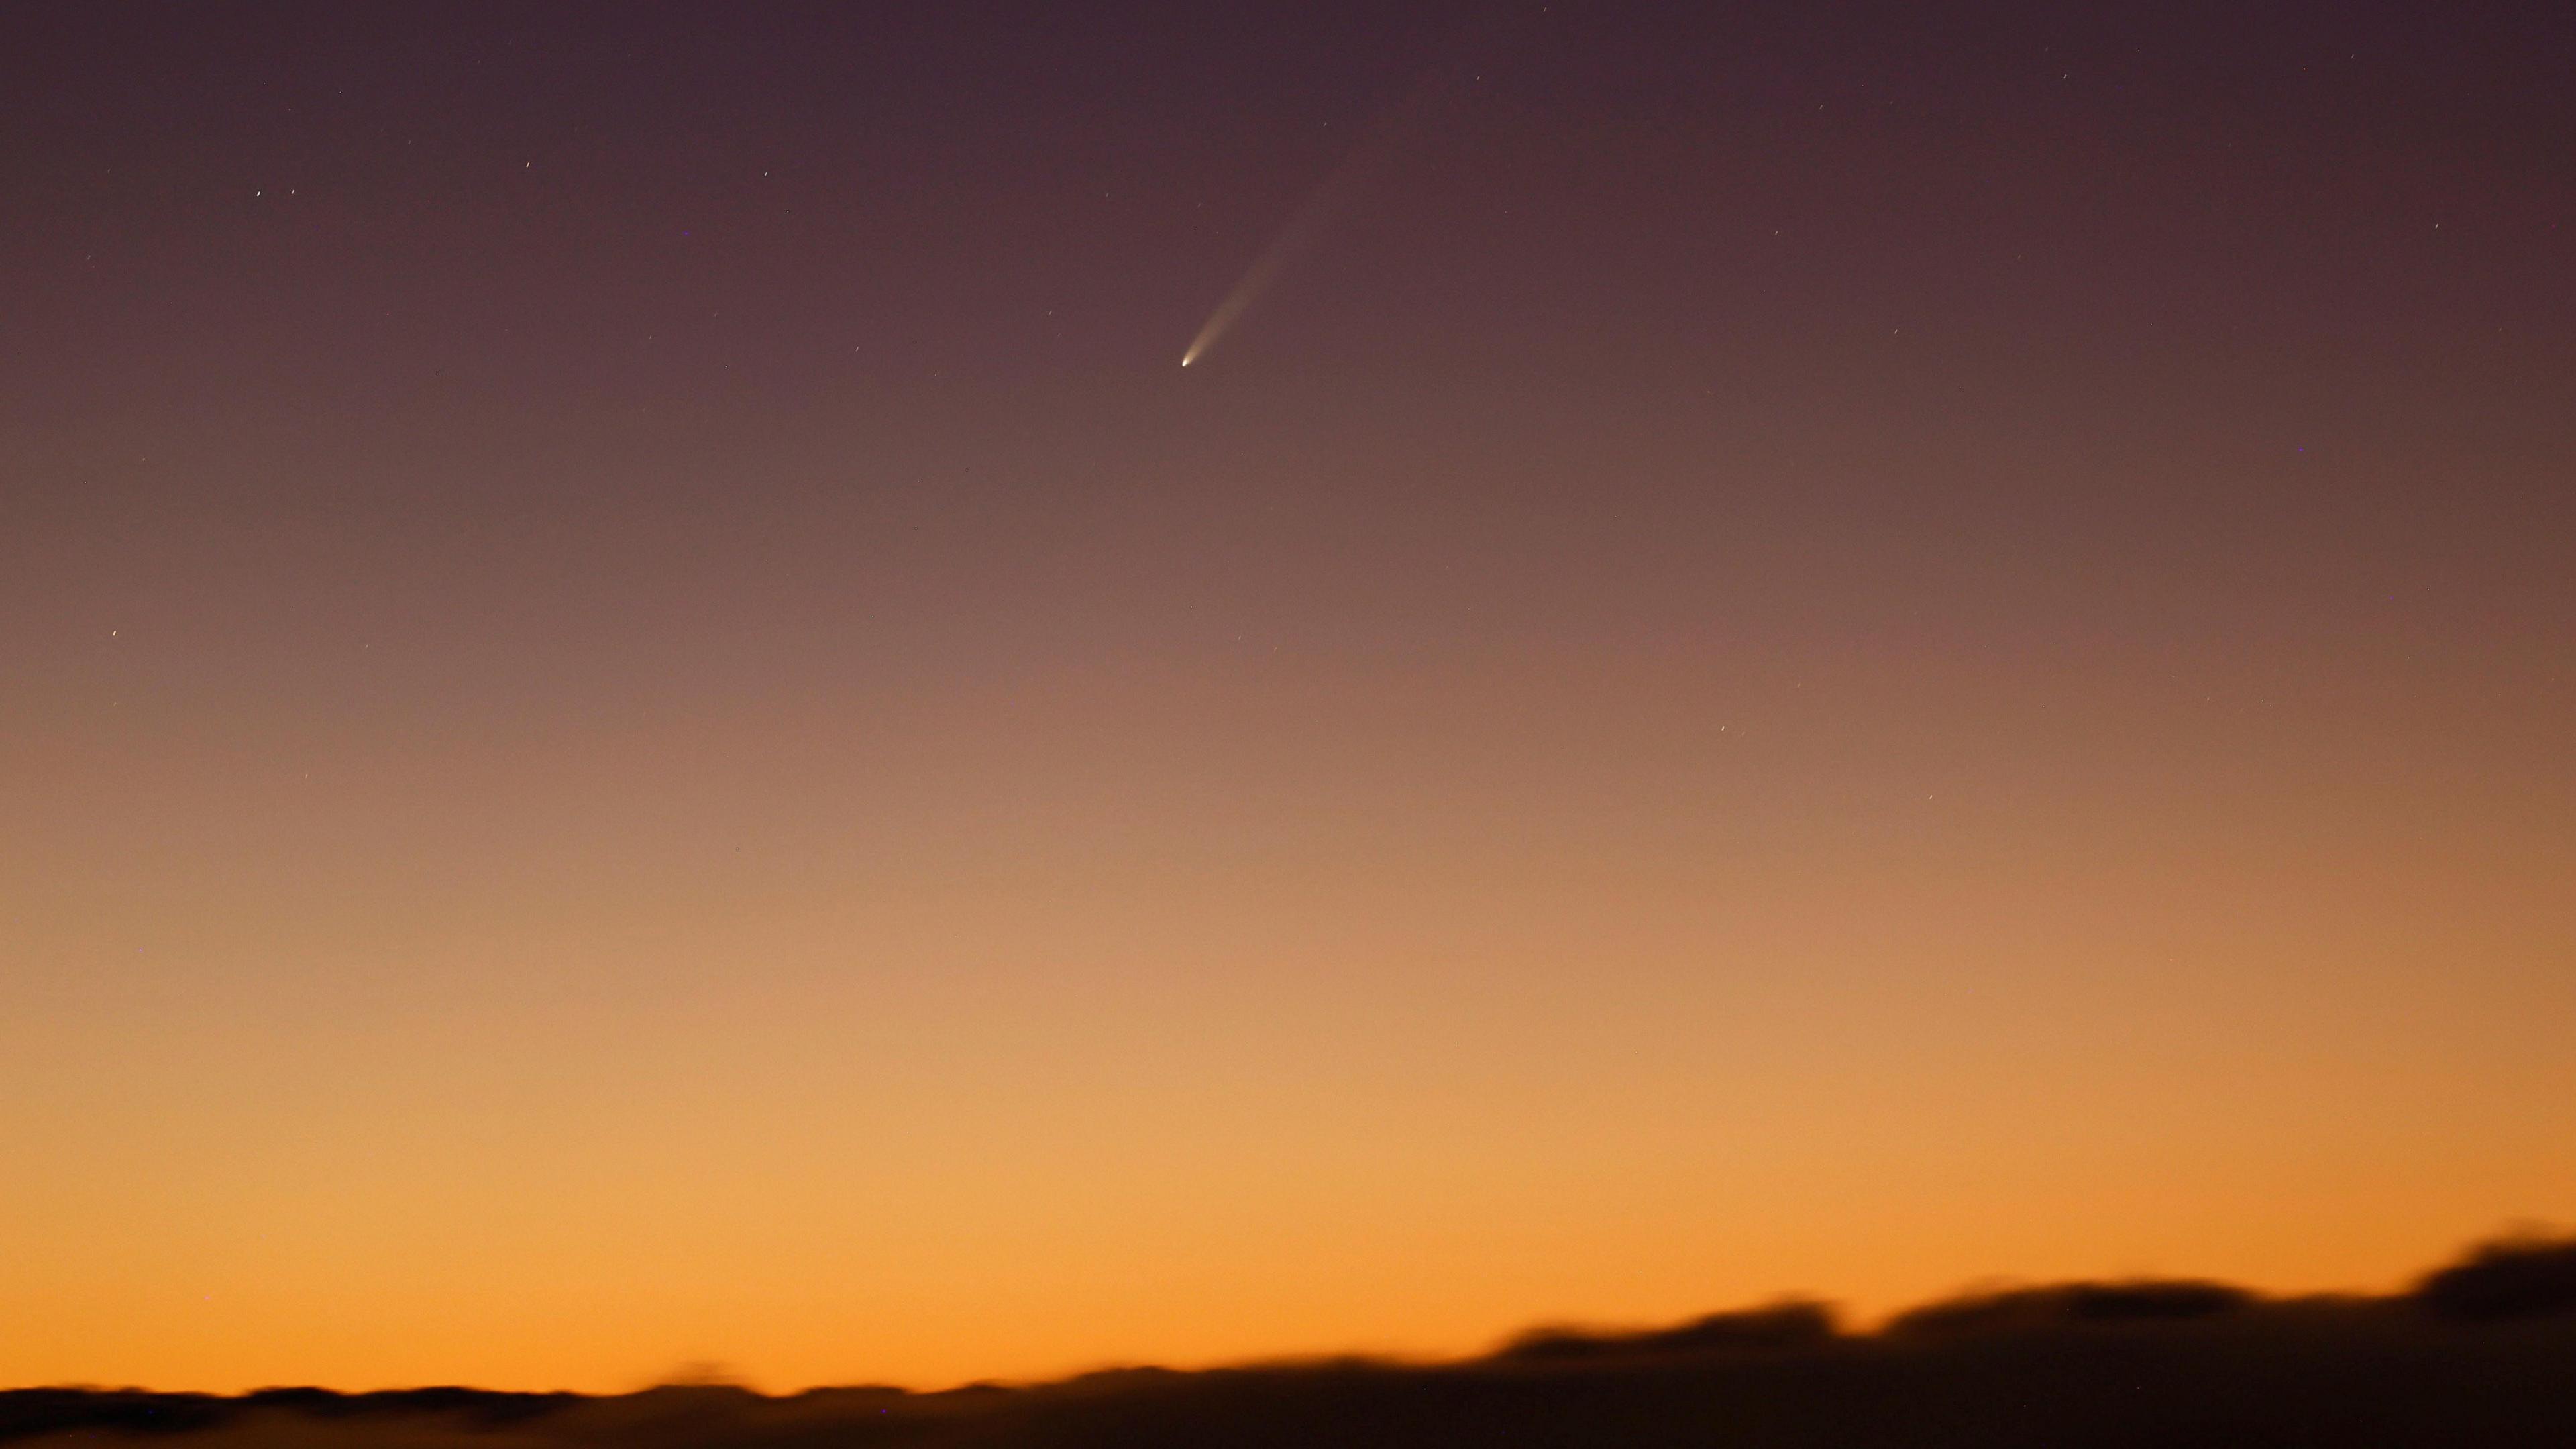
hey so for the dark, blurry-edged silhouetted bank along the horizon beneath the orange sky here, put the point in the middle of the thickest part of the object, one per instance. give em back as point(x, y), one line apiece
point(2474, 1355)
